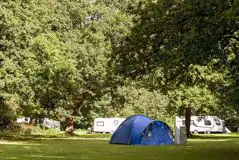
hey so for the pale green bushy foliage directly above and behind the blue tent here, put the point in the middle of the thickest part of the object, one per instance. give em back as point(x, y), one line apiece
point(142, 101)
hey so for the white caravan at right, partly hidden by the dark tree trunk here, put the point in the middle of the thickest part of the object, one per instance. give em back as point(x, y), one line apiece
point(203, 124)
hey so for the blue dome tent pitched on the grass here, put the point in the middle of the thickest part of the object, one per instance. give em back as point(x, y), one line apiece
point(141, 130)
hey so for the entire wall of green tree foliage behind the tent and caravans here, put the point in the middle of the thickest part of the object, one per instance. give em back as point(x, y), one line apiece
point(62, 59)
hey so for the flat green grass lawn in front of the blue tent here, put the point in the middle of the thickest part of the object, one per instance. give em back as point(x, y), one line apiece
point(210, 147)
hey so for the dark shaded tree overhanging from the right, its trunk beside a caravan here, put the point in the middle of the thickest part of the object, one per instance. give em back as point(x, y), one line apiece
point(174, 36)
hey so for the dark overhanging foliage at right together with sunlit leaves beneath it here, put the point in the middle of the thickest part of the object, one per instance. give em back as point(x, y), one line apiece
point(184, 48)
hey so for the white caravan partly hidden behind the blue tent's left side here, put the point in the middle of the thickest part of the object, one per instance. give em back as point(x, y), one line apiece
point(106, 125)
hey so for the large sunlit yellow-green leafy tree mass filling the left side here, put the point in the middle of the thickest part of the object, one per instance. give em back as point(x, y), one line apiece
point(56, 54)
